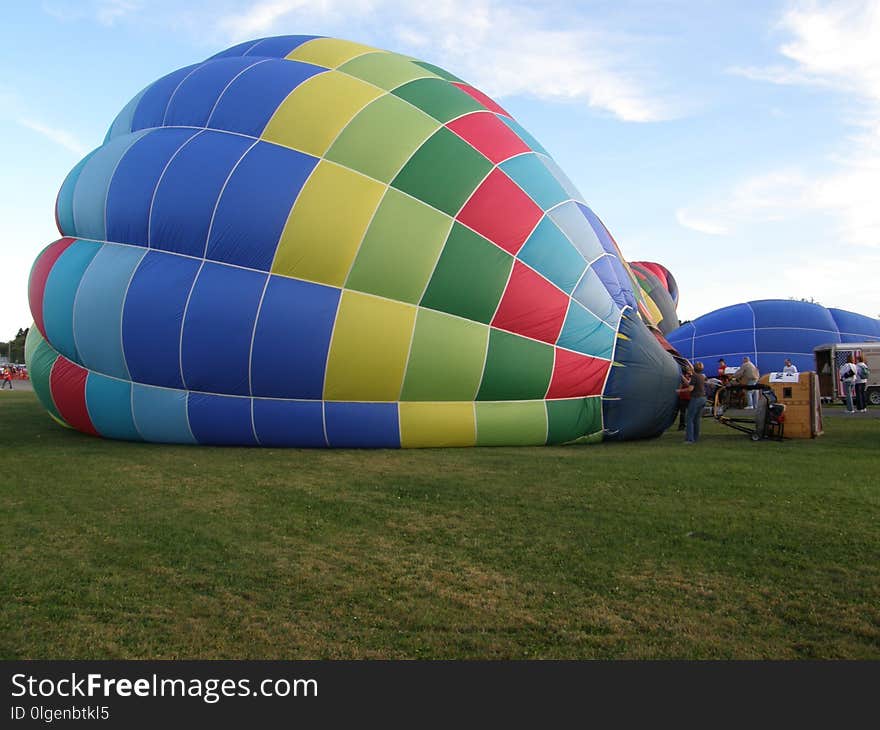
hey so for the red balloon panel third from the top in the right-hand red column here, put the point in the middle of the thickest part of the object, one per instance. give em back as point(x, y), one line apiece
point(502, 212)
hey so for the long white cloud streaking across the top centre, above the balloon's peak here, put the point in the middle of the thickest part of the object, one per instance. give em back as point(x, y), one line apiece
point(505, 49)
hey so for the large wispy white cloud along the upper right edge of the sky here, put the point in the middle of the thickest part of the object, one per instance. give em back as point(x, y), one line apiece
point(833, 46)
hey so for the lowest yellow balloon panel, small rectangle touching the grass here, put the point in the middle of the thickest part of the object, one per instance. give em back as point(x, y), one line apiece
point(437, 424)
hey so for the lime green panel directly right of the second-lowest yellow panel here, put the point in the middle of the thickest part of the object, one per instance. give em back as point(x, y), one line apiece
point(446, 358)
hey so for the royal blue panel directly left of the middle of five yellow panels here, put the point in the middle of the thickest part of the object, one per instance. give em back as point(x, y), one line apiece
point(255, 204)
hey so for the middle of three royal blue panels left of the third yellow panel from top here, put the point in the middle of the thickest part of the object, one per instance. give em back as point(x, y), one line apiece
point(188, 192)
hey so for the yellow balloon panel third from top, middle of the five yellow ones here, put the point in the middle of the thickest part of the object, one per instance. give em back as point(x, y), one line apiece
point(326, 225)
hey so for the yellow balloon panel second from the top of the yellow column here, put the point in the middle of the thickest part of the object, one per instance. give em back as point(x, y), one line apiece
point(317, 110)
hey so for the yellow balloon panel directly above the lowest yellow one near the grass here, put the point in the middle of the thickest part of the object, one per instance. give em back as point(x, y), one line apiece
point(369, 349)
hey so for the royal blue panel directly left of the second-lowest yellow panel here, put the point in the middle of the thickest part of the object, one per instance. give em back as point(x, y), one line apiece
point(292, 339)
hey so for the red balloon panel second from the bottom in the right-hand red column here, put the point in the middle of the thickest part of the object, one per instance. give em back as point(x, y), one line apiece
point(531, 306)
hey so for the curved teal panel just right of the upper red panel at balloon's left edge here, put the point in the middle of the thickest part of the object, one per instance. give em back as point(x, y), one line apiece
point(60, 293)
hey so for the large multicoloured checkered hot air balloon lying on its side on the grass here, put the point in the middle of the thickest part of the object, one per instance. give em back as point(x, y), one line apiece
point(305, 241)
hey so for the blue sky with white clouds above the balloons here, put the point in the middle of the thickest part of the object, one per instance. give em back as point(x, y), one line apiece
point(738, 144)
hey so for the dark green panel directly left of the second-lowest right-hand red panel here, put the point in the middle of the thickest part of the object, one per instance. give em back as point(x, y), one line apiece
point(470, 276)
